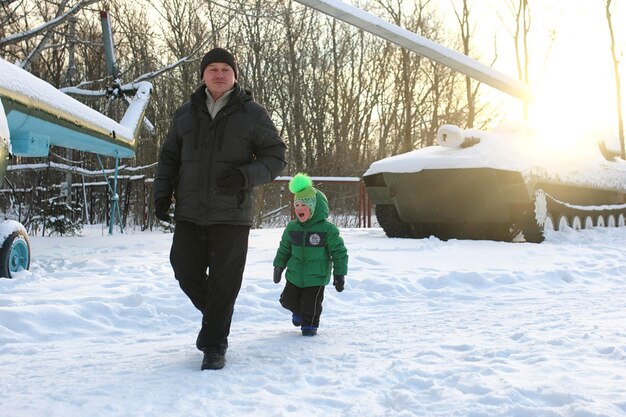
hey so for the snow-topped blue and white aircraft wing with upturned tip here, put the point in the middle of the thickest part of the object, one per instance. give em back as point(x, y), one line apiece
point(39, 116)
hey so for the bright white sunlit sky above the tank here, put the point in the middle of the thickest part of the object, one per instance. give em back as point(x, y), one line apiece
point(570, 71)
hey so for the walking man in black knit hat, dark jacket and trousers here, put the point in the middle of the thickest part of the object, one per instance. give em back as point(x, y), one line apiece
point(220, 145)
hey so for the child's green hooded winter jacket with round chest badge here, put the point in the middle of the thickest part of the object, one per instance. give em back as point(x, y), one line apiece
point(312, 251)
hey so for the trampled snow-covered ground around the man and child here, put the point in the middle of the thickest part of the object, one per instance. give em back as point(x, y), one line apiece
point(99, 327)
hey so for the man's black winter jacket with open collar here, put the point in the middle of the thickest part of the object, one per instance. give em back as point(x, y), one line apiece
point(198, 148)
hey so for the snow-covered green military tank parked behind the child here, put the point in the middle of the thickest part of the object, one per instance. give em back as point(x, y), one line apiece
point(507, 184)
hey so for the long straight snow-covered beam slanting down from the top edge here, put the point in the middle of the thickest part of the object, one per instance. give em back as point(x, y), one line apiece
point(423, 46)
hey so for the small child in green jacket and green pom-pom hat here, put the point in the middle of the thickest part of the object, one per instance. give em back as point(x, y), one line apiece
point(310, 248)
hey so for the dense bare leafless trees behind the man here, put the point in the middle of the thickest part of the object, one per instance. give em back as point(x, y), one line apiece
point(340, 97)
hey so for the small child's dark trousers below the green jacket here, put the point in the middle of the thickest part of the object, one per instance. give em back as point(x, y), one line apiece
point(305, 302)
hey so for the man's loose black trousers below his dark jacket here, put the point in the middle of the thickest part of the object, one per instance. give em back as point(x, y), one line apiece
point(208, 262)
